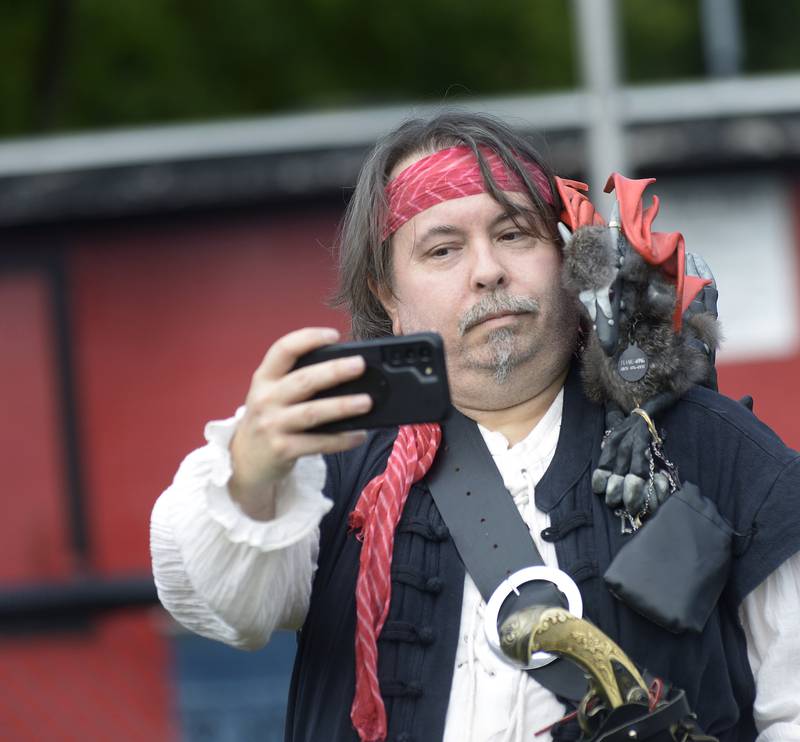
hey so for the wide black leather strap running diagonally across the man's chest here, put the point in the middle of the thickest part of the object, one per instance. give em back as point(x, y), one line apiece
point(490, 535)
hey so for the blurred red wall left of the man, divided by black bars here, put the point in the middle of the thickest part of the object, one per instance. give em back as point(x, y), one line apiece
point(169, 322)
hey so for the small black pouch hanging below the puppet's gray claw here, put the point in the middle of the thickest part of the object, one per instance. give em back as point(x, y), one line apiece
point(673, 570)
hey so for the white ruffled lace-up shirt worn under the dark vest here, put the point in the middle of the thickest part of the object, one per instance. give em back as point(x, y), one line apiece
point(234, 579)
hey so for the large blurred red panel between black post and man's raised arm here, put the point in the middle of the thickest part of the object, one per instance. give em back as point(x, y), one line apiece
point(170, 323)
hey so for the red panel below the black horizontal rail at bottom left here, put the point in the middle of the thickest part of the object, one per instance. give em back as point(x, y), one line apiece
point(107, 684)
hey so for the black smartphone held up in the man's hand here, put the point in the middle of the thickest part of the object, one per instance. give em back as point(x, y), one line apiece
point(405, 376)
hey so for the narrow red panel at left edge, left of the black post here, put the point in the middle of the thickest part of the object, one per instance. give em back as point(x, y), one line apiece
point(33, 527)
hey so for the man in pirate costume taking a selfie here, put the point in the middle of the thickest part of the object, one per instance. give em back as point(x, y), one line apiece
point(243, 542)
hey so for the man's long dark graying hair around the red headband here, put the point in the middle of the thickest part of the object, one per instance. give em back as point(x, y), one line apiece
point(364, 259)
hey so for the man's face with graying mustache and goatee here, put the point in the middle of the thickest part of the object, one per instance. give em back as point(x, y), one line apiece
point(464, 269)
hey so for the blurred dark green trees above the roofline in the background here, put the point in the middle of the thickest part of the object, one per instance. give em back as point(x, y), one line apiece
point(78, 64)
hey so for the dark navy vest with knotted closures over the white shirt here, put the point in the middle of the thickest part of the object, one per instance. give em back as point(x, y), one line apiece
point(716, 443)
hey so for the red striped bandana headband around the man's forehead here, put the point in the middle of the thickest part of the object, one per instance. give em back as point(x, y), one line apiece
point(452, 173)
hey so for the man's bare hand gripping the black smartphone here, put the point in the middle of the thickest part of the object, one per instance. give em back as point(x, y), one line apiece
point(271, 436)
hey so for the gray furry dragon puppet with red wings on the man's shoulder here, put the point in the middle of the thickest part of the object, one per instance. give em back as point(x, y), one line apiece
point(650, 333)
